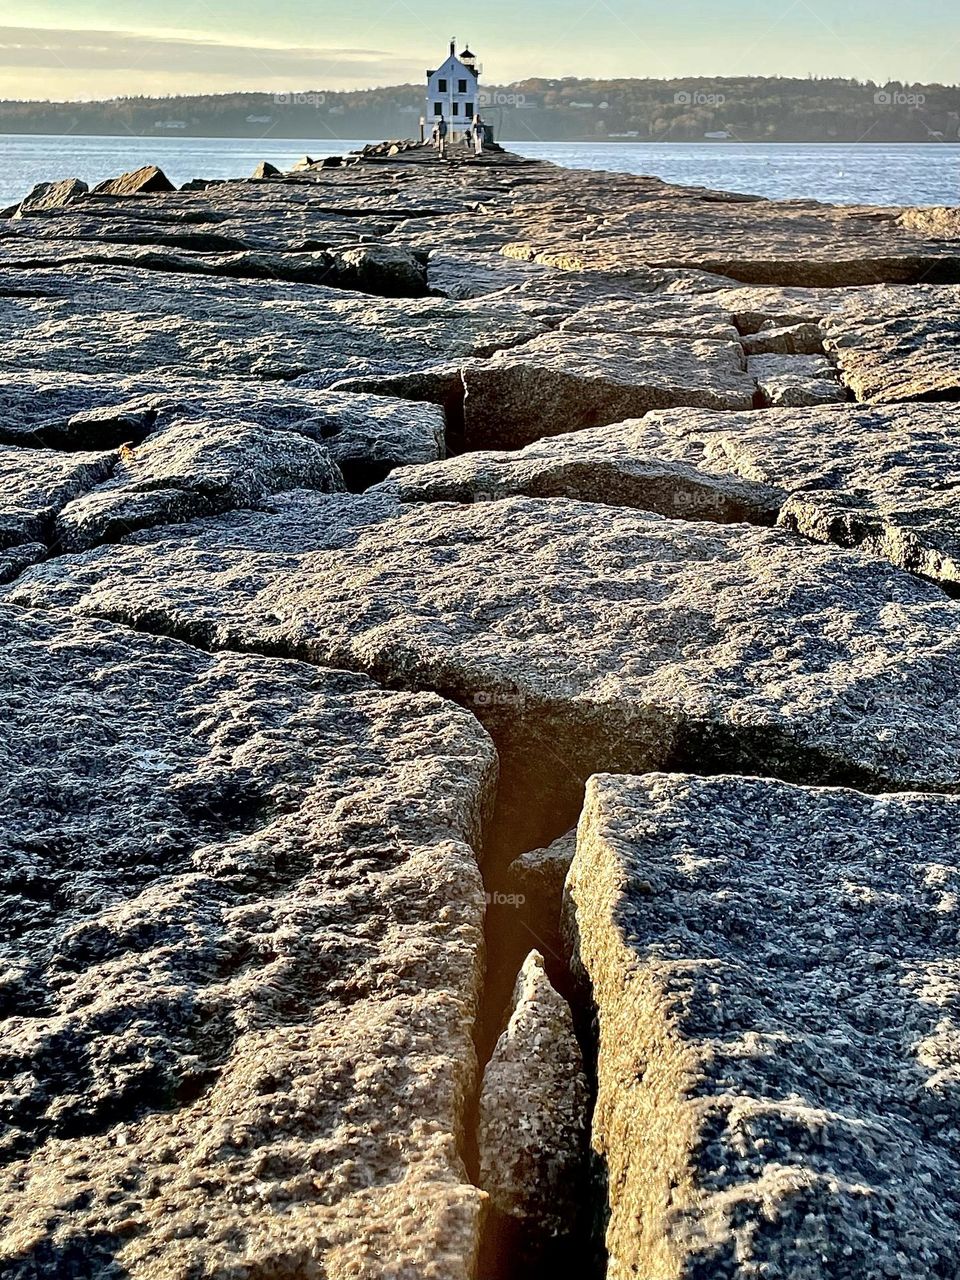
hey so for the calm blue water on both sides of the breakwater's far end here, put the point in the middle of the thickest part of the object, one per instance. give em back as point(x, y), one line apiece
point(906, 175)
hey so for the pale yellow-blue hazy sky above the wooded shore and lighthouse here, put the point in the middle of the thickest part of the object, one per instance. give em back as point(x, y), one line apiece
point(90, 49)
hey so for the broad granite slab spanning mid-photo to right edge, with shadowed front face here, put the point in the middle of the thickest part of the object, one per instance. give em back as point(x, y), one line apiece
point(584, 638)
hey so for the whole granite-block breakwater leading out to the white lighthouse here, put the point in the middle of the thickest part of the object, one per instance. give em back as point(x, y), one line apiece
point(481, 652)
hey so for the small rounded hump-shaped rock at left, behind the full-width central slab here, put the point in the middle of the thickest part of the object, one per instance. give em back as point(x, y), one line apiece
point(196, 469)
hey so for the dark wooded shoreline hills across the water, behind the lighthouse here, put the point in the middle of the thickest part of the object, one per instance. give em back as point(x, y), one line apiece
point(648, 111)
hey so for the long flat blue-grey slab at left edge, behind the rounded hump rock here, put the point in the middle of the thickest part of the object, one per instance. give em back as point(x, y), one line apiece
point(121, 322)
